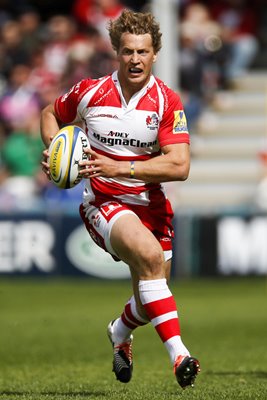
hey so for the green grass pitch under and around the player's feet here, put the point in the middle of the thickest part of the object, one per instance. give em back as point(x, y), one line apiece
point(53, 342)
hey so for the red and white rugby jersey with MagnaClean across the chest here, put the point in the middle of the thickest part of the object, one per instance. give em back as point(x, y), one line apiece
point(153, 118)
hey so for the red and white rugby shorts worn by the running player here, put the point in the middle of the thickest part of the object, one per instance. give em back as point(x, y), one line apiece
point(99, 221)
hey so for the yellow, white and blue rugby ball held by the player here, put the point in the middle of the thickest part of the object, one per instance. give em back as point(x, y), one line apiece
point(64, 153)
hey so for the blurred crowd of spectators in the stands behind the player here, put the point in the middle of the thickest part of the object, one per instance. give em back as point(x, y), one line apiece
point(46, 47)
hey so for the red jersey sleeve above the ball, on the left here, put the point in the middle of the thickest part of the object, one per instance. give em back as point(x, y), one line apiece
point(66, 106)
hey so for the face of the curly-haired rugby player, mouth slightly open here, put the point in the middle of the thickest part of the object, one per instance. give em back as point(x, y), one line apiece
point(136, 57)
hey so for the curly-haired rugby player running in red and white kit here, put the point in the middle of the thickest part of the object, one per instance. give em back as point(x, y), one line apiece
point(139, 139)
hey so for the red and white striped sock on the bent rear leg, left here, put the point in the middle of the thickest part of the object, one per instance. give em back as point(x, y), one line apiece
point(128, 321)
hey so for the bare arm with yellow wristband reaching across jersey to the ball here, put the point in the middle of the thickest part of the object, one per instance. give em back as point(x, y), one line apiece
point(173, 165)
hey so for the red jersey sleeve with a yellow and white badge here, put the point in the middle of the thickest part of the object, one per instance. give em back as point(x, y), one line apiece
point(173, 126)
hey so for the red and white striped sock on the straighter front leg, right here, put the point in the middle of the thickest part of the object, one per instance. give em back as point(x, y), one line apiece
point(160, 307)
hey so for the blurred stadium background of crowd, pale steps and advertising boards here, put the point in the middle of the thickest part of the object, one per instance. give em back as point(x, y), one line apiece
point(215, 55)
